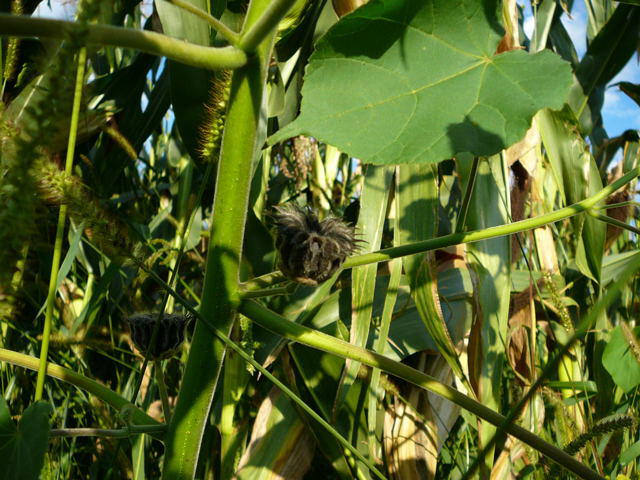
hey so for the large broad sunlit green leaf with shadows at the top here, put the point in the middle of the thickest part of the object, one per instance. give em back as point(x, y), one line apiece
point(419, 81)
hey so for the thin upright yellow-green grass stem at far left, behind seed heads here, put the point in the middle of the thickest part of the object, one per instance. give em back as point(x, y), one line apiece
point(62, 218)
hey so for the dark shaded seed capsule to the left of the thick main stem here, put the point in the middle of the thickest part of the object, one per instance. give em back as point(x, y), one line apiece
point(168, 339)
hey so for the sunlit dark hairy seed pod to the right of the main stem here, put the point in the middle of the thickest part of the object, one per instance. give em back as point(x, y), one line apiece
point(311, 250)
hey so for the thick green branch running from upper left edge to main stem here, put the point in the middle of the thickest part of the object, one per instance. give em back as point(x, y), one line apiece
point(210, 58)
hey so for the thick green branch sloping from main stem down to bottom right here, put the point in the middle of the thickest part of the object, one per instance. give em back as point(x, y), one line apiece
point(298, 333)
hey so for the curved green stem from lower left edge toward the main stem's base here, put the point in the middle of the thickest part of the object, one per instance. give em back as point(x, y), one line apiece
point(103, 393)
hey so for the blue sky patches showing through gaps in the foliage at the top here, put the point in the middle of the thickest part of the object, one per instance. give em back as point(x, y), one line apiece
point(620, 112)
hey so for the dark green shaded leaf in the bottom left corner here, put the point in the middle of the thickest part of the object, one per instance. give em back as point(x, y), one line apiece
point(22, 447)
